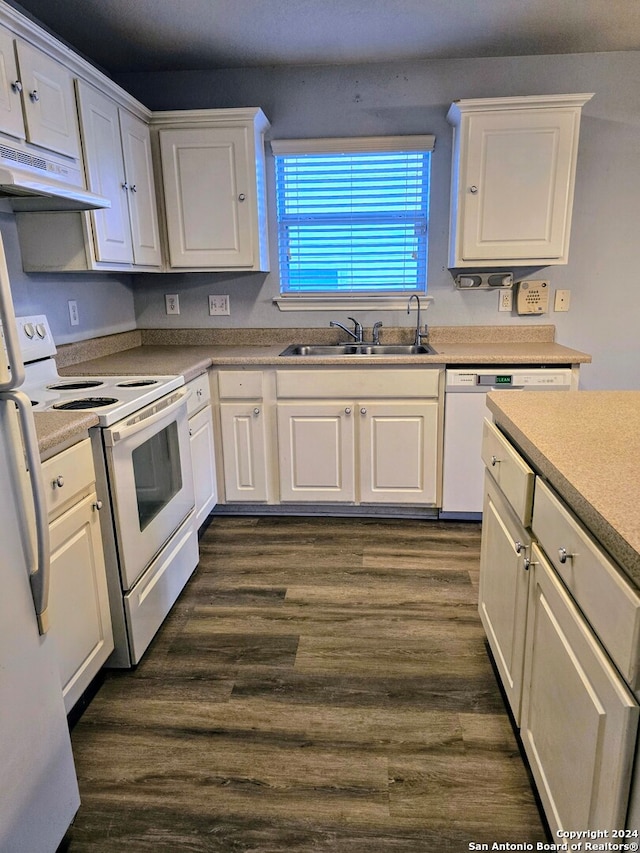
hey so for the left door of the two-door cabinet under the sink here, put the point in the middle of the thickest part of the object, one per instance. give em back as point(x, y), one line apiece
point(316, 451)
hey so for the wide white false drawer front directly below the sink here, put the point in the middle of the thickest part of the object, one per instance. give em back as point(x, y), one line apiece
point(360, 382)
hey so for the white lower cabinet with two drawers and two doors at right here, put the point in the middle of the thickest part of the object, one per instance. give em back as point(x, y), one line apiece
point(564, 636)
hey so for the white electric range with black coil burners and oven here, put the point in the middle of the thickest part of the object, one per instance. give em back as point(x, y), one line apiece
point(144, 480)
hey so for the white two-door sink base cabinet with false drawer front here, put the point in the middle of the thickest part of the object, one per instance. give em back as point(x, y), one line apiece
point(381, 446)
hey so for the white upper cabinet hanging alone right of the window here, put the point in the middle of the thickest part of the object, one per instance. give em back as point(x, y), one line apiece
point(513, 175)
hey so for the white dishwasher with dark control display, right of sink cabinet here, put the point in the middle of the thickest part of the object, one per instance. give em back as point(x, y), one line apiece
point(464, 412)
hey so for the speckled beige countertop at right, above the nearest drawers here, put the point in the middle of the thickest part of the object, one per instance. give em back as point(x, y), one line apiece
point(587, 445)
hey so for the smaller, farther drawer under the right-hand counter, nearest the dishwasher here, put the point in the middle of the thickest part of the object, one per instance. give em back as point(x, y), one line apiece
point(509, 470)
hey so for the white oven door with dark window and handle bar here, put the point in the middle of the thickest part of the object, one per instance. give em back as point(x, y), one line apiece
point(151, 480)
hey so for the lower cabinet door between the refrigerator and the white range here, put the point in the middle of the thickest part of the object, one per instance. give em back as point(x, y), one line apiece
point(78, 598)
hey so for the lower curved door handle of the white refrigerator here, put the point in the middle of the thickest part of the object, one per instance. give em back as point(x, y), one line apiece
point(40, 573)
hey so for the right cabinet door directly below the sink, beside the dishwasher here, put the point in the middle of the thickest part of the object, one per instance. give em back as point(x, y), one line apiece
point(398, 451)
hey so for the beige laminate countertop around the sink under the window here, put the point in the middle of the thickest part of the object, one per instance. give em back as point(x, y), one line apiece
point(191, 360)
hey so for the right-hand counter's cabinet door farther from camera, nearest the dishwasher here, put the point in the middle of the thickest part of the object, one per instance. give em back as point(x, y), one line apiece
point(504, 582)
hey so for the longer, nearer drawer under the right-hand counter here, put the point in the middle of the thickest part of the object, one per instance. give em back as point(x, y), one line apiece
point(608, 602)
